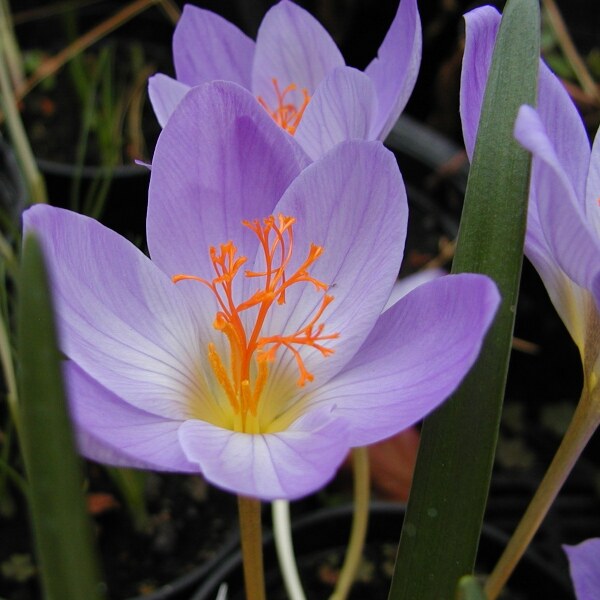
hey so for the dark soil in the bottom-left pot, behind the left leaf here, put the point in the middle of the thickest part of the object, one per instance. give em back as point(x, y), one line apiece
point(188, 524)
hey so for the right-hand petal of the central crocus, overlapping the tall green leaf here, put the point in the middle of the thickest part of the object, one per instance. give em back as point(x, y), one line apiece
point(416, 355)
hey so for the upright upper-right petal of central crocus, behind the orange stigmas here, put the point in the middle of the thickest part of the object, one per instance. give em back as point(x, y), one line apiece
point(353, 204)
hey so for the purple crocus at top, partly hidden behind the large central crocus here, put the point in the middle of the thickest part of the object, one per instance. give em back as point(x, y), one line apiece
point(297, 73)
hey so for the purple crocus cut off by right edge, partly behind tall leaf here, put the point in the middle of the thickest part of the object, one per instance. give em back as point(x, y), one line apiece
point(563, 224)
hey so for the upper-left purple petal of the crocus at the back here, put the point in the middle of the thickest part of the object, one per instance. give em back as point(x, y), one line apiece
point(208, 47)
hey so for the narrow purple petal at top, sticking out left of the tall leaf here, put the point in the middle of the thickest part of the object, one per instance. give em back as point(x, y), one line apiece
point(481, 29)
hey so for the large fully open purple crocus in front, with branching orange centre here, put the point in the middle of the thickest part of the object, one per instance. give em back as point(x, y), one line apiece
point(254, 346)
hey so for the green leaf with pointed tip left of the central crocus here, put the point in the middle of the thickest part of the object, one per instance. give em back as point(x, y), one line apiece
point(60, 523)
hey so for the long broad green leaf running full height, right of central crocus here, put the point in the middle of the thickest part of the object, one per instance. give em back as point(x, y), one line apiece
point(443, 521)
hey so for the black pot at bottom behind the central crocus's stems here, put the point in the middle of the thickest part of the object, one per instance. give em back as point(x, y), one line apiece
point(320, 539)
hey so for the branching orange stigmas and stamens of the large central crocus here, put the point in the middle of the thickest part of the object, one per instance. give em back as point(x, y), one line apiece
point(244, 375)
